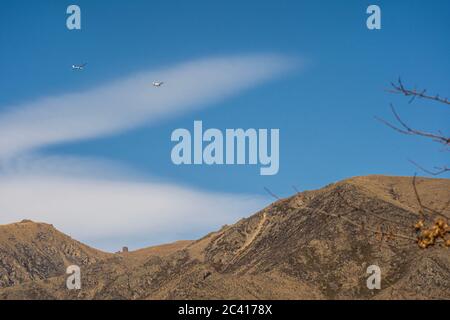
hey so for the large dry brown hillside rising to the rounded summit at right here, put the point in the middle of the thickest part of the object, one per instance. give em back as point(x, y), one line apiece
point(313, 245)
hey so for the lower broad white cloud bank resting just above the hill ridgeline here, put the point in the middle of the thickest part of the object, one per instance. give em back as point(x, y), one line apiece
point(108, 211)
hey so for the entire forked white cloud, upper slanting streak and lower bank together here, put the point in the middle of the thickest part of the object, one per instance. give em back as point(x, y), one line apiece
point(96, 201)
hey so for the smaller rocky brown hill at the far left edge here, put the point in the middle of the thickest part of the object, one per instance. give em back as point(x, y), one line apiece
point(33, 251)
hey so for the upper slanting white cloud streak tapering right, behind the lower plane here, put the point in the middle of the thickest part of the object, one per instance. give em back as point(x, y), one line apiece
point(130, 102)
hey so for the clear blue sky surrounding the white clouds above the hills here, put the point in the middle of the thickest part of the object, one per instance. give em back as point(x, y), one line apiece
point(324, 109)
